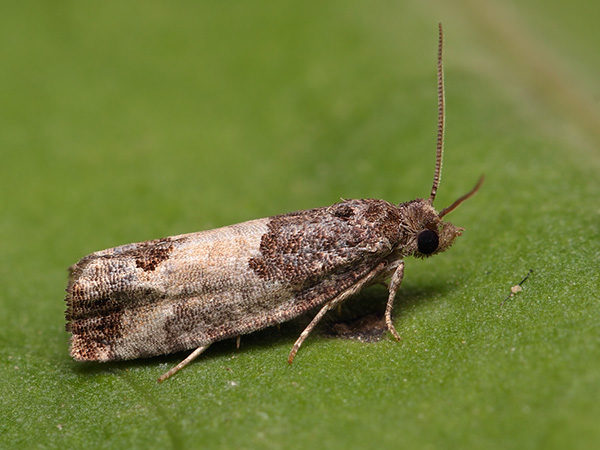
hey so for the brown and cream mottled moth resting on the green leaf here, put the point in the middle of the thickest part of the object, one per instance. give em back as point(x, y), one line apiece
point(188, 291)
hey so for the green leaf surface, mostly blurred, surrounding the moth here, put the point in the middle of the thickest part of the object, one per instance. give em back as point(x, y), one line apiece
point(126, 121)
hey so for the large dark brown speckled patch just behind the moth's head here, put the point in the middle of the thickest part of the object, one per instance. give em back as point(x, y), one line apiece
point(304, 246)
